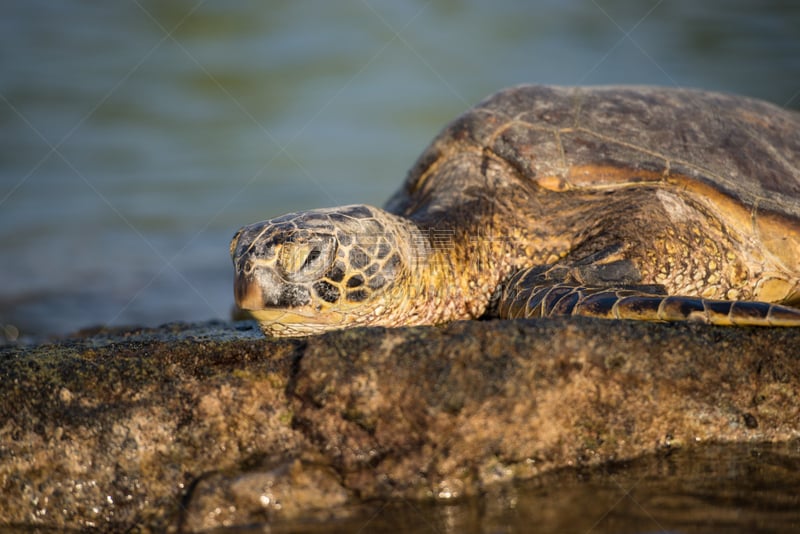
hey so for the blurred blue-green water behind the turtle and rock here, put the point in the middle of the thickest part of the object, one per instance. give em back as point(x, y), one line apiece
point(136, 137)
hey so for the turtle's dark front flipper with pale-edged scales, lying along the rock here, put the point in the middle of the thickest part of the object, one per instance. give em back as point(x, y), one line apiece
point(529, 293)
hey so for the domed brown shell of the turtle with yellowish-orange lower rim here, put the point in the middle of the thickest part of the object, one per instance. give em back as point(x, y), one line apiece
point(738, 156)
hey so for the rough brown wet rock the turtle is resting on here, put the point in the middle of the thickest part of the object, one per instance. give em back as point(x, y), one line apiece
point(195, 427)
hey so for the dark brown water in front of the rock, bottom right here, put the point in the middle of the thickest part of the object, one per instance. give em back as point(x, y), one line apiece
point(714, 489)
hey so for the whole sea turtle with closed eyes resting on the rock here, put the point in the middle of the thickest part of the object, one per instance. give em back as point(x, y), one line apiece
point(641, 203)
